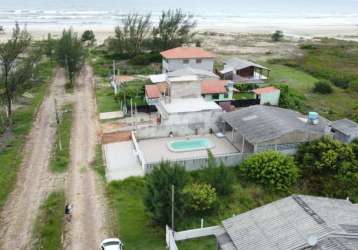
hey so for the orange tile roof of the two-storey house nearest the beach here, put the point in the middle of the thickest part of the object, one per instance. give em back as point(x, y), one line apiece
point(186, 53)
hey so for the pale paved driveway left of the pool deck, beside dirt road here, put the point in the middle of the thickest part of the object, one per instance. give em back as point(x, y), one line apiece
point(121, 161)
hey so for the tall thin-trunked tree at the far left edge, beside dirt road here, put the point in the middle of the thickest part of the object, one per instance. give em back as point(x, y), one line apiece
point(11, 53)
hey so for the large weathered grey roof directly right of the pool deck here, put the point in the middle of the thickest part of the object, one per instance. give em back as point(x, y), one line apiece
point(262, 123)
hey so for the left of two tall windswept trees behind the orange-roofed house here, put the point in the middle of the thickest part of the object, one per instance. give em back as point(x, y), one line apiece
point(130, 37)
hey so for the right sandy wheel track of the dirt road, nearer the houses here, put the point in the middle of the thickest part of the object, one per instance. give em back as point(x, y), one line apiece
point(85, 190)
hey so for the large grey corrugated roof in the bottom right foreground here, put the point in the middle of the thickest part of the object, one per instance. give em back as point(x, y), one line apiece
point(289, 223)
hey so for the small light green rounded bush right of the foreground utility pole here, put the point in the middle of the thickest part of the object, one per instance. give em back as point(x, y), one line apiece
point(200, 197)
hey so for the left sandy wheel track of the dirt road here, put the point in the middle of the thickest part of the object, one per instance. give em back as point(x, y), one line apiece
point(34, 180)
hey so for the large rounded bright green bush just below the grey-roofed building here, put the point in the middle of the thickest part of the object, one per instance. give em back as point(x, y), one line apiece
point(272, 169)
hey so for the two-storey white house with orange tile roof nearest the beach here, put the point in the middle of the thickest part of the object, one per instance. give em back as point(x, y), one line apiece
point(187, 57)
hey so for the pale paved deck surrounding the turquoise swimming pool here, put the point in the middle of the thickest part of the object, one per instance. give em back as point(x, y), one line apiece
point(156, 150)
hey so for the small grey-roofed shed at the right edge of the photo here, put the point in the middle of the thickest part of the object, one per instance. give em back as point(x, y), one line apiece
point(345, 130)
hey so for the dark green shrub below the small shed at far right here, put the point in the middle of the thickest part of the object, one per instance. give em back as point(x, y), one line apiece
point(325, 156)
